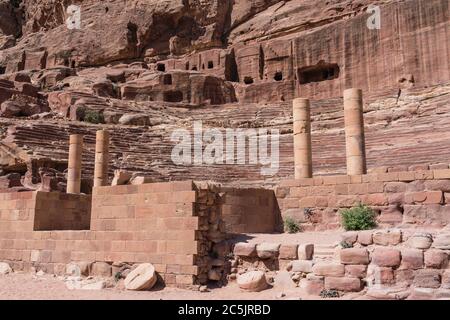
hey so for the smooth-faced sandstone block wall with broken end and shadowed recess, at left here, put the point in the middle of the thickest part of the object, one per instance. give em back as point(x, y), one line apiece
point(177, 226)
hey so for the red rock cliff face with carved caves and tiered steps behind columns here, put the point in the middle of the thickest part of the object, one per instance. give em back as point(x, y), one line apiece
point(147, 68)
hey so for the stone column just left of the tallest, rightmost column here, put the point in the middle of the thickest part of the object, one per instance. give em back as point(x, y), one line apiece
point(302, 138)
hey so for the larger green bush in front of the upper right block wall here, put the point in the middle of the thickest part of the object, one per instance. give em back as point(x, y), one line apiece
point(360, 217)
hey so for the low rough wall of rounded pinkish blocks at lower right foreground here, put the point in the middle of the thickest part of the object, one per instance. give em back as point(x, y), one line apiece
point(388, 263)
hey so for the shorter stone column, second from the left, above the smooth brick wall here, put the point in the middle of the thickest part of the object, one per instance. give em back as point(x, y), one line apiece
point(101, 158)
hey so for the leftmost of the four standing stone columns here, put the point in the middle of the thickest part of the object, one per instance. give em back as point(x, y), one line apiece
point(74, 172)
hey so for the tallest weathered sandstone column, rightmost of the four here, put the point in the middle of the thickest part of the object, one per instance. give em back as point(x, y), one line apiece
point(354, 132)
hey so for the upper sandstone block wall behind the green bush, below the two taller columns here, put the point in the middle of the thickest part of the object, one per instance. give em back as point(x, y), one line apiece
point(406, 198)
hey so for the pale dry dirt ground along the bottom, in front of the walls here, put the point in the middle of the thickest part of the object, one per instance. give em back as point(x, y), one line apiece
point(20, 286)
